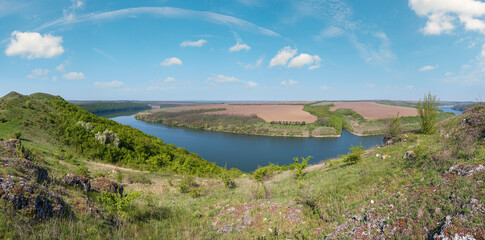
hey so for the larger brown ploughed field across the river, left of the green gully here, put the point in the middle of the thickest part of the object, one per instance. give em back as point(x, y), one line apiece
point(267, 112)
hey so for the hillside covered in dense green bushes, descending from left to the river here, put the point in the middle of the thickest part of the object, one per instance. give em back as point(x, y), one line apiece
point(51, 124)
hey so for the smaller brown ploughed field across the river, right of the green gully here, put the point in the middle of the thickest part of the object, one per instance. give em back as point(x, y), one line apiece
point(372, 110)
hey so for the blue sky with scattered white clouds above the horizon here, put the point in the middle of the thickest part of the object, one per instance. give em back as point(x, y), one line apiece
point(244, 50)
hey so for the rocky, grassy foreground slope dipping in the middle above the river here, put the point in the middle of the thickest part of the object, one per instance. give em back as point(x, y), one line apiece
point(422, 186)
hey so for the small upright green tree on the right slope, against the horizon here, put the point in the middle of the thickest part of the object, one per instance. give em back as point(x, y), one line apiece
point(428, 112)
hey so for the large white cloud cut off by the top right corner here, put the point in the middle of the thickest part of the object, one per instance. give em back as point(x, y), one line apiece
point(443, 15)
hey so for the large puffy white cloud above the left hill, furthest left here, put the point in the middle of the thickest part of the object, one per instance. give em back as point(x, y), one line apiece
point(33, 45)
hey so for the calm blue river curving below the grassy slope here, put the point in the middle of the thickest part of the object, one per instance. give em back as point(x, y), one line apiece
point(246, 152)
